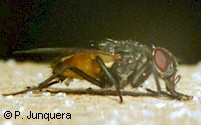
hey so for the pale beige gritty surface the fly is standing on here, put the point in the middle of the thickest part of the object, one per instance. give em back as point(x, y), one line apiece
point(99, 110)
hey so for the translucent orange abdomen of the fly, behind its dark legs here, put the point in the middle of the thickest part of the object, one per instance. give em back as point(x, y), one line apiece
point(86, 62)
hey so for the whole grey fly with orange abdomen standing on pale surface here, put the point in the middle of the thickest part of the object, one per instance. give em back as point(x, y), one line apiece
point(117, 64)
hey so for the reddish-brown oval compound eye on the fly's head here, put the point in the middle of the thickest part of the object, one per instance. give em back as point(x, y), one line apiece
point(162, 59)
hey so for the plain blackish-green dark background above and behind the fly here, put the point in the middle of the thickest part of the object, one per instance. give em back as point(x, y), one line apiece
point(172, 24)
